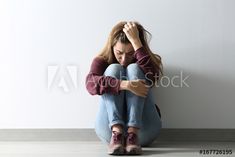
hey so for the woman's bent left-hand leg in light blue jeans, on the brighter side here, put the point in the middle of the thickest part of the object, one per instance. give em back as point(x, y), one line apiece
point(110, 107)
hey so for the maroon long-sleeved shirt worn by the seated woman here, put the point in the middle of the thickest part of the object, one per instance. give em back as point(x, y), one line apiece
point(98, 84)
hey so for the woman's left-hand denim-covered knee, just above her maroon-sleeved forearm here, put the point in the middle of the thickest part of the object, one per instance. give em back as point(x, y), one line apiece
point(115, 70)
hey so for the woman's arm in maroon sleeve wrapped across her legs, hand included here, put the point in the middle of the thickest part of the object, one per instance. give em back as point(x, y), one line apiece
point(98, 84)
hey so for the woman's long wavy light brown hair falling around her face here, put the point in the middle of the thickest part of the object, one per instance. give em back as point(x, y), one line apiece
point(117, 34)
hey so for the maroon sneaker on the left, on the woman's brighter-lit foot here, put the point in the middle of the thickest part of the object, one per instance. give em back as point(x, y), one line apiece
point(116, 145)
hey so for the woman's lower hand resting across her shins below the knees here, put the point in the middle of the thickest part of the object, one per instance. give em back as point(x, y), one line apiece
point(138, 87)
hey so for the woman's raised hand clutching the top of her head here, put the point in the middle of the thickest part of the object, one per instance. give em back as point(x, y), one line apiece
point(132, 33)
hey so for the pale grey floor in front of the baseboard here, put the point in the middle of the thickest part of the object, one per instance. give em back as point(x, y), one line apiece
point(97, 149)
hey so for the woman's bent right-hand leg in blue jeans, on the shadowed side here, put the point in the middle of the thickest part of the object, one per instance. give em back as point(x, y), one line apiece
point(142, 112)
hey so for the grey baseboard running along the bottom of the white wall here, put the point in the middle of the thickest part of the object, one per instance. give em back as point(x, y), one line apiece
point(166, 134)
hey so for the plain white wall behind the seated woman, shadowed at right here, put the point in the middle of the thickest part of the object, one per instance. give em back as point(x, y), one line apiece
point(196, 37)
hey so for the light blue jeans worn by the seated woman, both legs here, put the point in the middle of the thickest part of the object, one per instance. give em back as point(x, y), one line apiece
point(127, 109)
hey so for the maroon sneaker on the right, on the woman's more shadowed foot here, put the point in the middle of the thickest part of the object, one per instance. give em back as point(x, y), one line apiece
point(132, 144)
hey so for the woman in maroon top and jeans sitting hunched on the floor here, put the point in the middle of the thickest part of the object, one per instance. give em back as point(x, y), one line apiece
point(123, 74)
